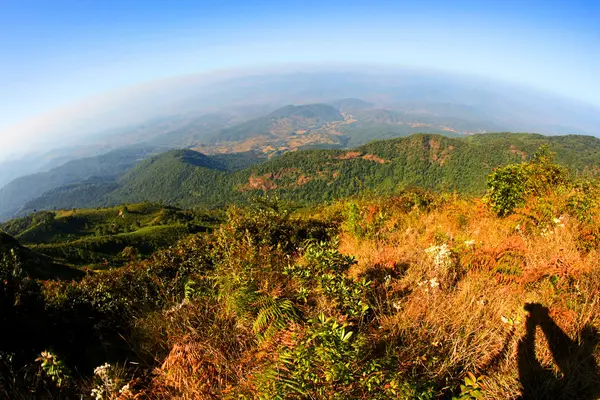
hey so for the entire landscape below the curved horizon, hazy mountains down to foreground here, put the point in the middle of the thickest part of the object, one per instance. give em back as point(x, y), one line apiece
point(266, 241)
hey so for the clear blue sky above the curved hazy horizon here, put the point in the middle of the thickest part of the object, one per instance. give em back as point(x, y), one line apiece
point(53, 53)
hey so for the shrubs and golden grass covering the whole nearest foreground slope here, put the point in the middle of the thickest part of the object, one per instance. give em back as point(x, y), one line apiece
point(416, 296)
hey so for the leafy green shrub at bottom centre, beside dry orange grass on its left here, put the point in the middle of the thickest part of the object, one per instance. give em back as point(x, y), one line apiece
point(331, 361)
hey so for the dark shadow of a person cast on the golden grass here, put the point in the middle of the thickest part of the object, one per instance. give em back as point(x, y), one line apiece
point(579, 376)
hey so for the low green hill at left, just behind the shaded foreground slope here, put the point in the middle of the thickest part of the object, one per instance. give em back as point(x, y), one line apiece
point(100, 236)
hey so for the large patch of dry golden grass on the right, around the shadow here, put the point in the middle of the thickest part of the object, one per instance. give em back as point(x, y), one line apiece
point(476, 324)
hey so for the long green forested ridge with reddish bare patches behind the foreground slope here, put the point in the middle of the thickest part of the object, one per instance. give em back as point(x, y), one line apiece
point(188, 179)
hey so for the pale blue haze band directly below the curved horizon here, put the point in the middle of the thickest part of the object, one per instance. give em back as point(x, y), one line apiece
point(487, 105)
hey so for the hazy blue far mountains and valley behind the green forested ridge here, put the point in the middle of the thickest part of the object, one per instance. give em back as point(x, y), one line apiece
point(213, 114)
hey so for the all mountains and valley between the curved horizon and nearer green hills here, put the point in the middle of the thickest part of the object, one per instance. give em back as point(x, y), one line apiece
point(234, 131)
